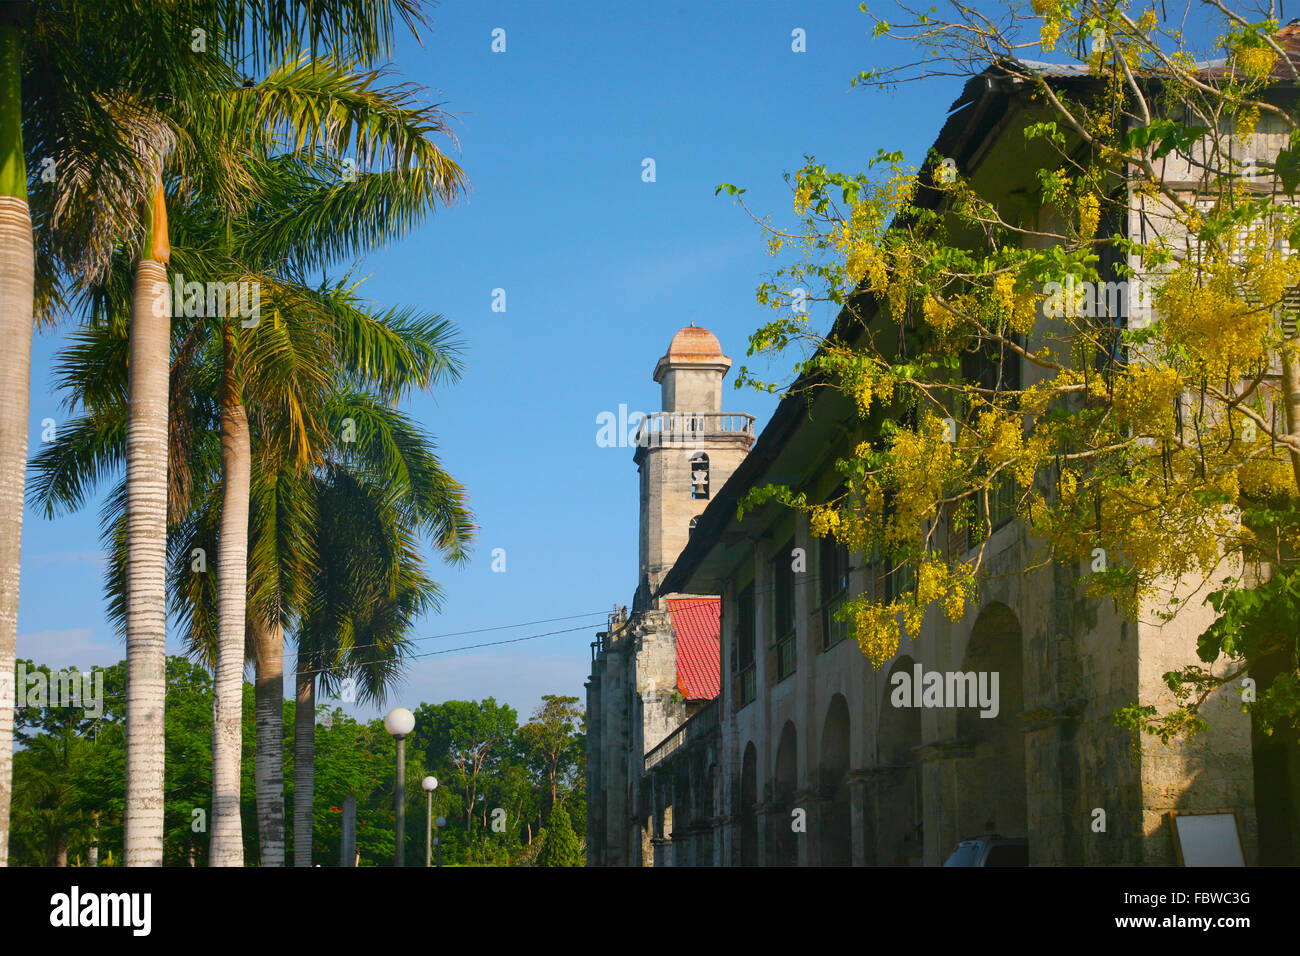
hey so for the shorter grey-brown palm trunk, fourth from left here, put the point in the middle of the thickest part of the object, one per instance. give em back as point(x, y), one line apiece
point(270, 768)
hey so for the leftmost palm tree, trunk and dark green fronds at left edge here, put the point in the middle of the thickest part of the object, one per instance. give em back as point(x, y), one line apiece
point(62, 64)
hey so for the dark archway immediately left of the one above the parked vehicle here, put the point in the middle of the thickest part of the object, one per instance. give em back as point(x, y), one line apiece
point(899, 812)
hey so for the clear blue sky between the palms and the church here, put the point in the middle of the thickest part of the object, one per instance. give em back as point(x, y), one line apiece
point(600, 269)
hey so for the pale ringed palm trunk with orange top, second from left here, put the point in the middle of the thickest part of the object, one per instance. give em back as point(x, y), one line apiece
point(146, 542)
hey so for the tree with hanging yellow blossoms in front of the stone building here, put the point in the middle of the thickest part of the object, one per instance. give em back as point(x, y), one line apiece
point(1093, 338)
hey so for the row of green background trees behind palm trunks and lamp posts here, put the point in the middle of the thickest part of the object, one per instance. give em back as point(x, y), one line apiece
point(71, 777)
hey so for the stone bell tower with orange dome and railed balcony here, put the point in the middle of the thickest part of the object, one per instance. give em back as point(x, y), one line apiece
point(684, 453)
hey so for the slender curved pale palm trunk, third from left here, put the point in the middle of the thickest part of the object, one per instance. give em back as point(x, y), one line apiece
point(232, 621)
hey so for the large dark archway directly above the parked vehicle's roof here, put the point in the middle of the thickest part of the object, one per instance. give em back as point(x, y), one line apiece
point(991, 784)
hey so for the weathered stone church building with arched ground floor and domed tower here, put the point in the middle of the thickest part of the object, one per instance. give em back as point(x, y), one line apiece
point(786, 747)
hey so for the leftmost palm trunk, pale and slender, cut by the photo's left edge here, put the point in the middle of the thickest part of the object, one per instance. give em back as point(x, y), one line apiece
point(18, 276)
